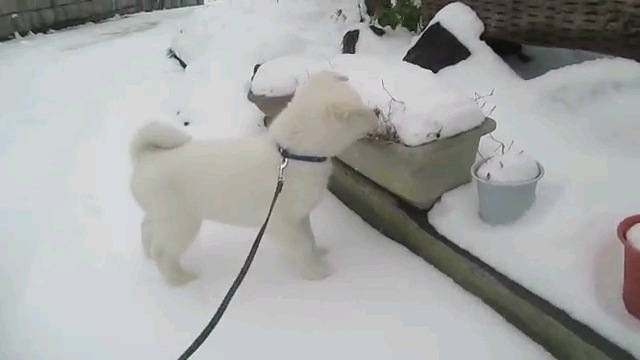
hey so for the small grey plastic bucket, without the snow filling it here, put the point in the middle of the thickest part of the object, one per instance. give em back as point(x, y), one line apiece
point(504, 202)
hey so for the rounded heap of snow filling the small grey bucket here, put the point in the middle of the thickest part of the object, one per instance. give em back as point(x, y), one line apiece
point(512, 166)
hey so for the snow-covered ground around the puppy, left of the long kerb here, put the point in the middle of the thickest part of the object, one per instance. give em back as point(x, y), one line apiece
point(74, 283)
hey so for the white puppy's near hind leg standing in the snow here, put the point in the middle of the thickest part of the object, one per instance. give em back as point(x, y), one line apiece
point(171, 238)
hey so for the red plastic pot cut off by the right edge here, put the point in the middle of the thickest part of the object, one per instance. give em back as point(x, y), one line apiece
point(631, 287)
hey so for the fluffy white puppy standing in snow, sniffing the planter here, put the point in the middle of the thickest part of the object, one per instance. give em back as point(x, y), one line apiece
point(179, 182)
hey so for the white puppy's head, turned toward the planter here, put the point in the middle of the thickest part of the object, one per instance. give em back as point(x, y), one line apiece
point(324, 117)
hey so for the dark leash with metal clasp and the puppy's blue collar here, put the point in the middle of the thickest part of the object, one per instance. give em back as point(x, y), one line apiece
point(252, 253)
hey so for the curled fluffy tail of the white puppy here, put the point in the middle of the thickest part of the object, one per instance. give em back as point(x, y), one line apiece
point(156, 136)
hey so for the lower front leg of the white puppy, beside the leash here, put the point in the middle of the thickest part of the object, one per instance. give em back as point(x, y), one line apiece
point(298, 245)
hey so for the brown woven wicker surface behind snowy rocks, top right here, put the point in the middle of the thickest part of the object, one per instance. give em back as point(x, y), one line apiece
point(609, 27)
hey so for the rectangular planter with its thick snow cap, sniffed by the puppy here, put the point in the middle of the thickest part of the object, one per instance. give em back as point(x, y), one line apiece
point(425, 145)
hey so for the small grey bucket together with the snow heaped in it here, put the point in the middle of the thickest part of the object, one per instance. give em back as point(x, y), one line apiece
point(506, 186)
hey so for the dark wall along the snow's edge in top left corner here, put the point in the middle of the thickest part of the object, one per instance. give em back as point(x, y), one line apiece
point(23, 16)
